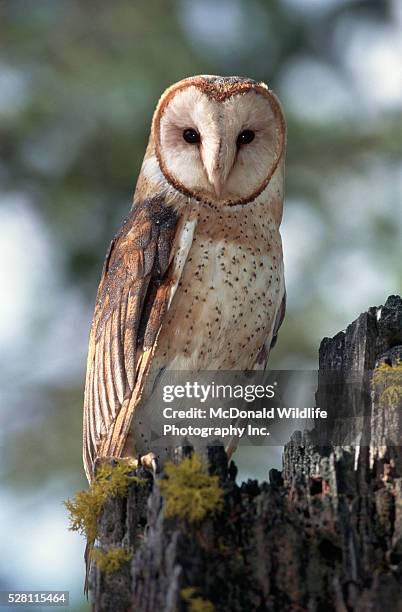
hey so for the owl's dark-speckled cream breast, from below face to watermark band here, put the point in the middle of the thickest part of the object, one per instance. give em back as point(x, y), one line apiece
point(229, 293)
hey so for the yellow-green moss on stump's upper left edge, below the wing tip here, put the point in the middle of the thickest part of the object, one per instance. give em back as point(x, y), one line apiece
point(86, 506)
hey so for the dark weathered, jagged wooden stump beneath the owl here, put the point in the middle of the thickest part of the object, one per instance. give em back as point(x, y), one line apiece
point(325, 534)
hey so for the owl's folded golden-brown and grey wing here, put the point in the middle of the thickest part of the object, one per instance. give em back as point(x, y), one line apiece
point(137, 285)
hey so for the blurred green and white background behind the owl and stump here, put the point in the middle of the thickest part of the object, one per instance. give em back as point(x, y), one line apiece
point(78, 85)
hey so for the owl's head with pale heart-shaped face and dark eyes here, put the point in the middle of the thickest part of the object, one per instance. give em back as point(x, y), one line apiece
point(219, 139)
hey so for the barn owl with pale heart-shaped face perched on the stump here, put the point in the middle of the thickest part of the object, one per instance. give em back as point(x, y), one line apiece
point(194, 279)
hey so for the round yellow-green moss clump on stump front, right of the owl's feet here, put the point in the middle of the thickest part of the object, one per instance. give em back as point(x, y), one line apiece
point(190, 492)
